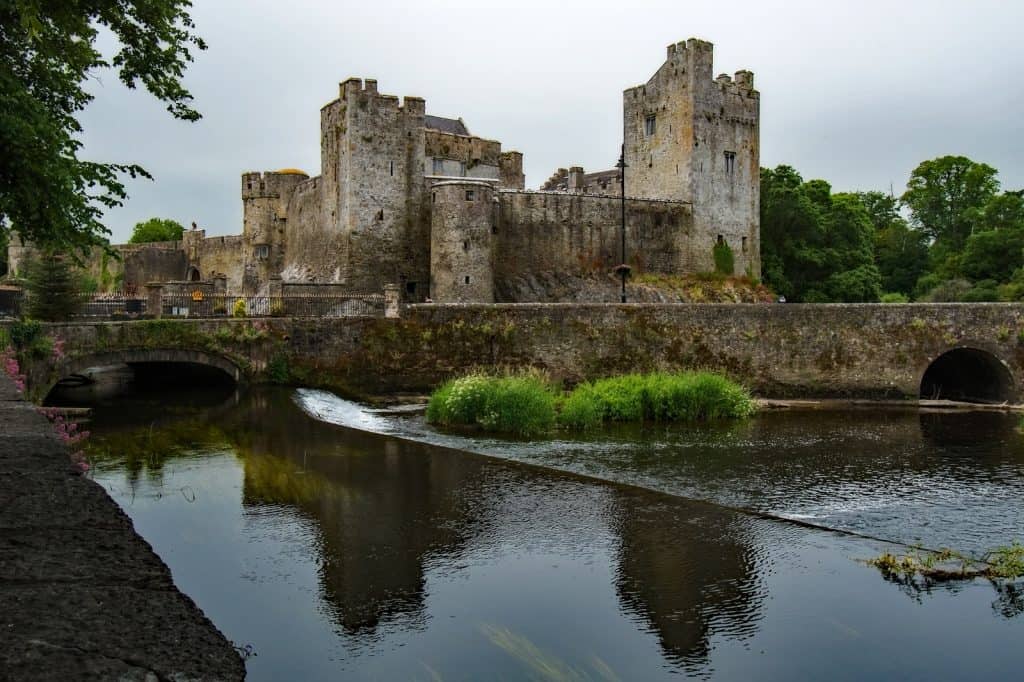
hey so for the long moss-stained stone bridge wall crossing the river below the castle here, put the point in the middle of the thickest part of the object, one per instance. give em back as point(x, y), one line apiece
point(786, 351)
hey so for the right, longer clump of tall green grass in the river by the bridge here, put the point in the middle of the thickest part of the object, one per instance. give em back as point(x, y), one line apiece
point(659, 397)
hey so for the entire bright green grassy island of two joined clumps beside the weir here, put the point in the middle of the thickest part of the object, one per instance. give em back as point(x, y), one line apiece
point(528, 404)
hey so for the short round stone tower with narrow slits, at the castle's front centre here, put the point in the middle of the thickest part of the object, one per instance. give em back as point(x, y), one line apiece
point(461, 221)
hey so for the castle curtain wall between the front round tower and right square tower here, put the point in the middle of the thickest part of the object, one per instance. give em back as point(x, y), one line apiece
point(581, 235)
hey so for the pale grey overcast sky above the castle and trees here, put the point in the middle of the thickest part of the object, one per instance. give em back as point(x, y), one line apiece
point(857, 94)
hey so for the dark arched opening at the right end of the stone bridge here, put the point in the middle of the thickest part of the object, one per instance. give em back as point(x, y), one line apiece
point(969, 374)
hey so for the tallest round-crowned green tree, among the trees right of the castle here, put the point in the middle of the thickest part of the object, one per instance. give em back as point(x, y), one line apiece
point(946, 194)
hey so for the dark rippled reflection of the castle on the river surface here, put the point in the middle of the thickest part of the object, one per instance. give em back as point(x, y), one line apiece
point(388, 513)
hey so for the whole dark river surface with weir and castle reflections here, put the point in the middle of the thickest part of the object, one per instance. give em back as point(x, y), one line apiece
point(343, 542)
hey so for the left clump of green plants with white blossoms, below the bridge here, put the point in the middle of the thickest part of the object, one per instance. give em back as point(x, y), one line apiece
point(522, 404)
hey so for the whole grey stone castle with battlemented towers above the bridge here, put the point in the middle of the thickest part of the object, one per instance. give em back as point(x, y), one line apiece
point(417, 200)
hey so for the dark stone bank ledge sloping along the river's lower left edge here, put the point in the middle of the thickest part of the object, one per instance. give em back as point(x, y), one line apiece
point(81, 593)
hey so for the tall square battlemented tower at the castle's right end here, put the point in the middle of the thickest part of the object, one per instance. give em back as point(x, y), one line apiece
point(691, 138)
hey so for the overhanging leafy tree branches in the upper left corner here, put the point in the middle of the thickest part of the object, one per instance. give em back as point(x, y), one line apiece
point(50, 196)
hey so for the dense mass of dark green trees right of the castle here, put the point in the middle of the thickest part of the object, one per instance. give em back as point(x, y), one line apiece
point(965, 241)
